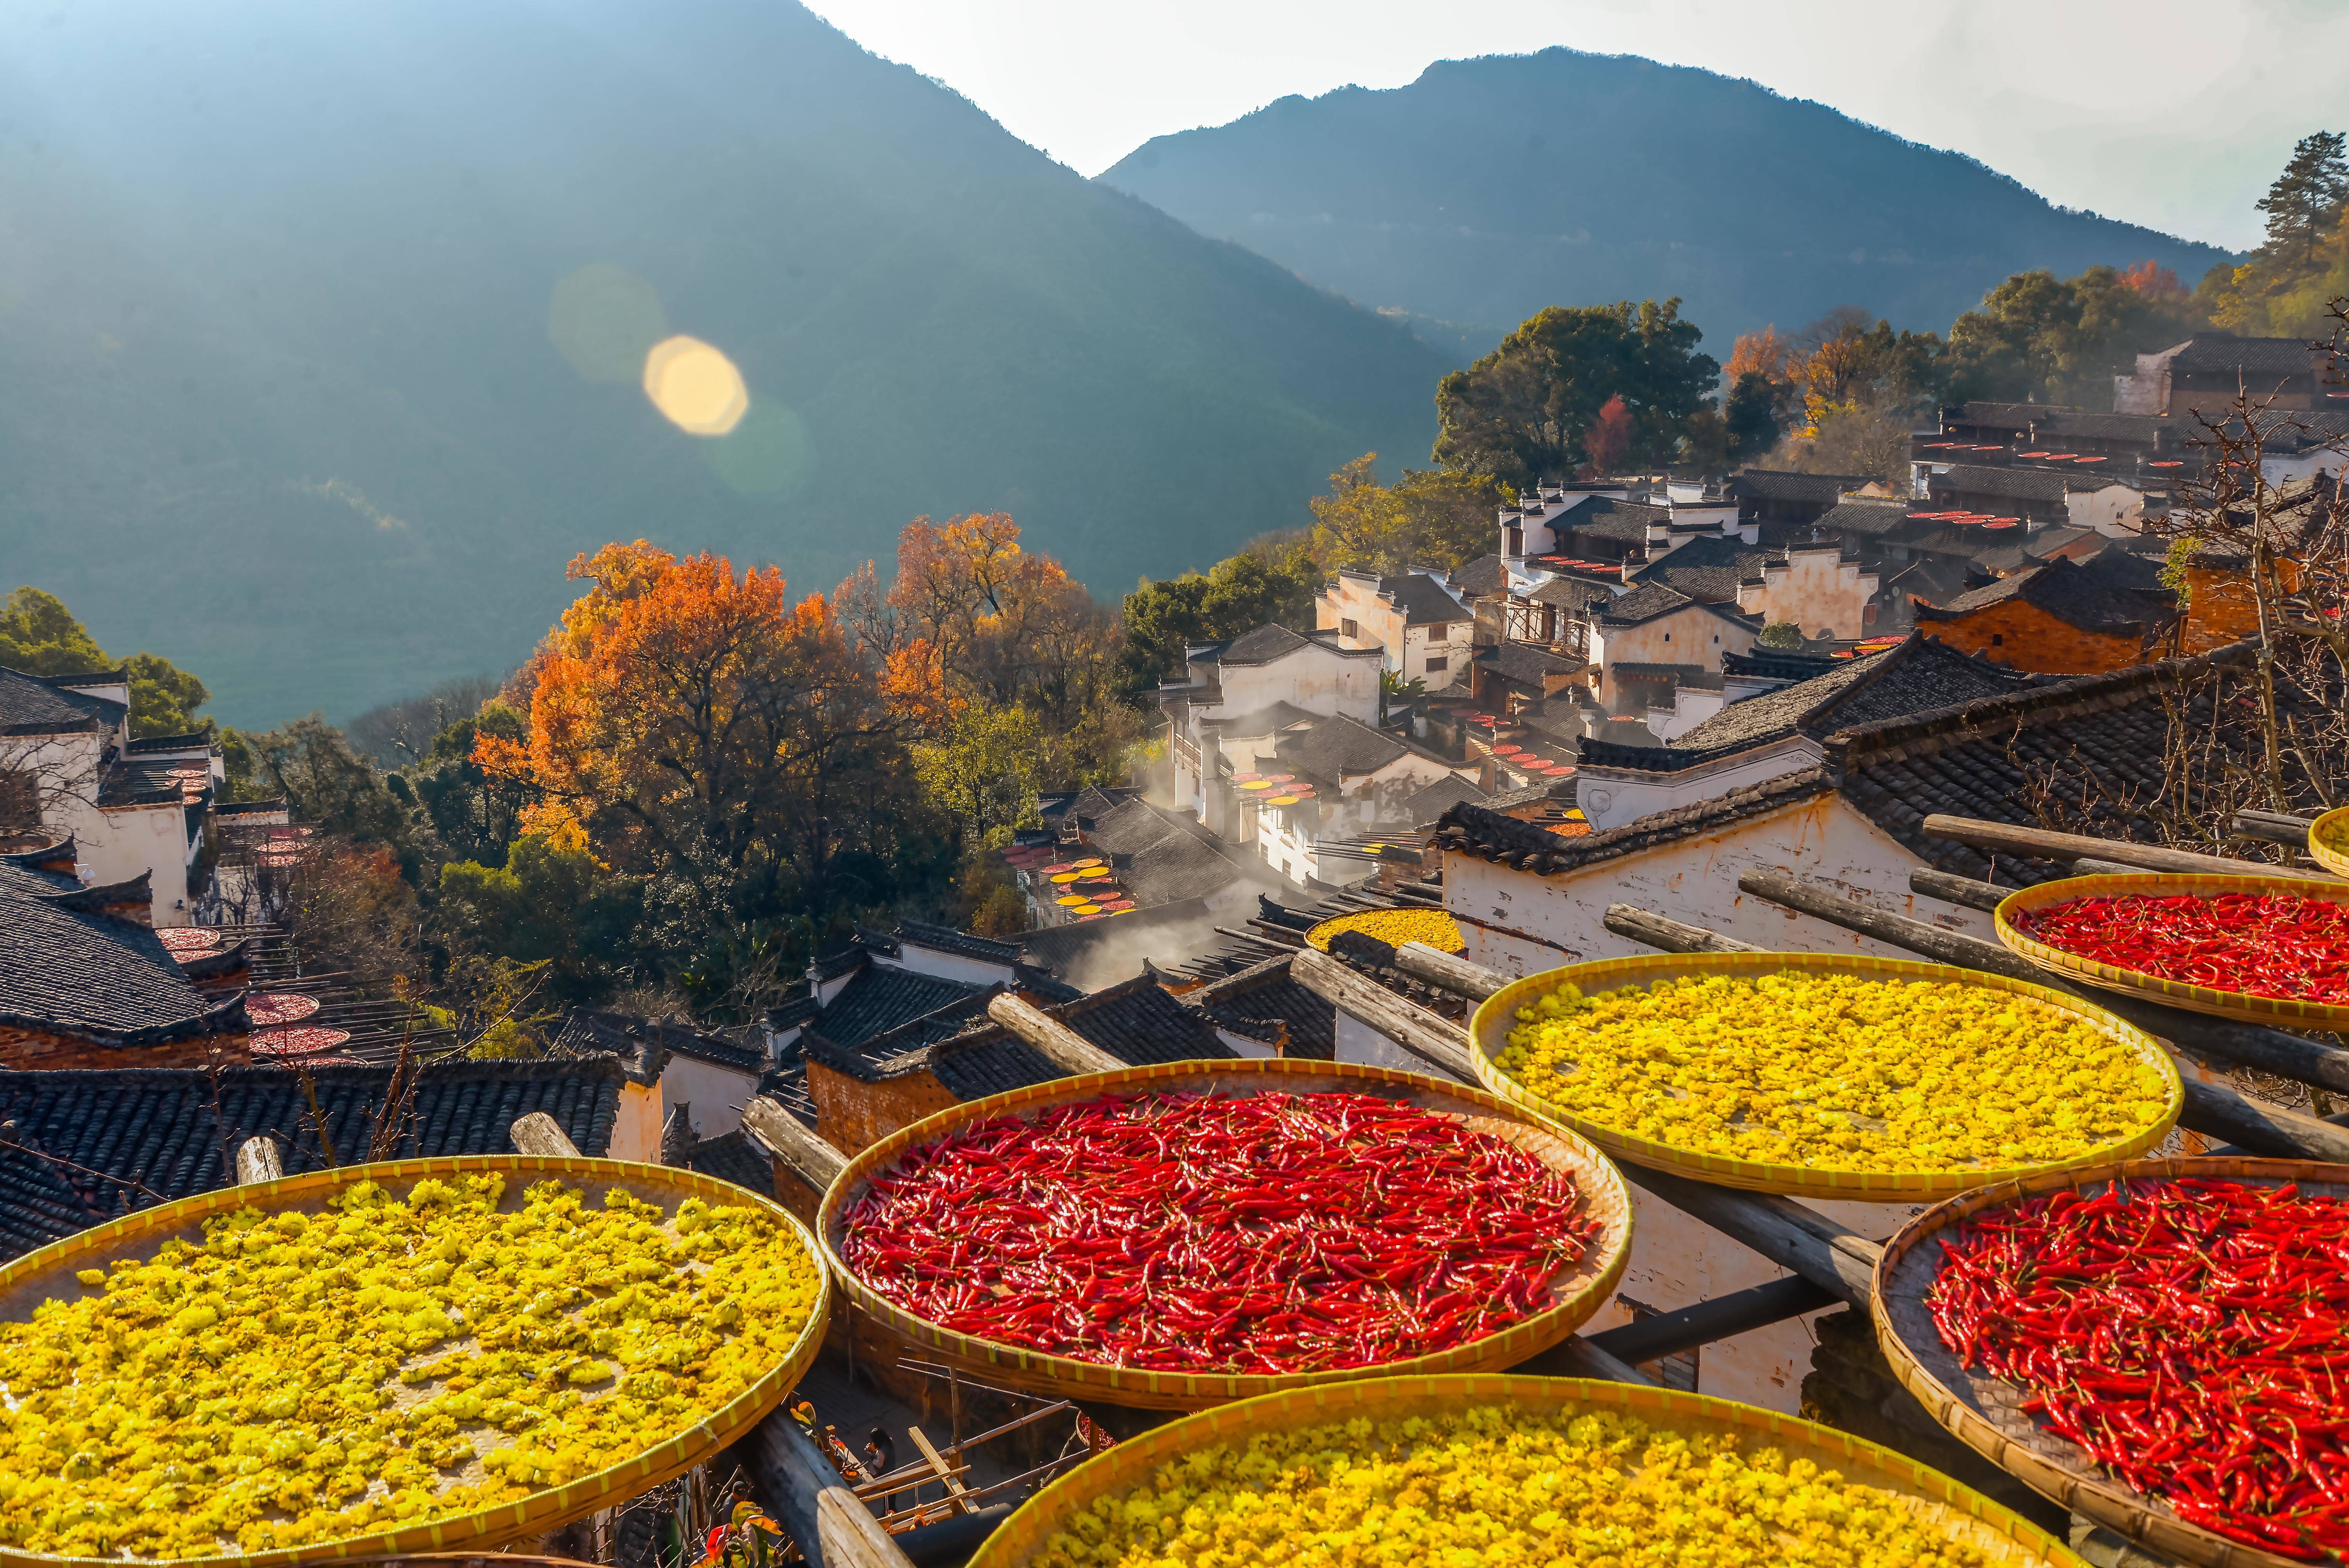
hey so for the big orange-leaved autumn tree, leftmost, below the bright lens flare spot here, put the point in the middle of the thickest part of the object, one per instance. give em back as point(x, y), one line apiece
point(708, 734)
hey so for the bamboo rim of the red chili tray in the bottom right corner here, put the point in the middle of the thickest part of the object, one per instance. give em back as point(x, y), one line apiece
point(1981, 1412)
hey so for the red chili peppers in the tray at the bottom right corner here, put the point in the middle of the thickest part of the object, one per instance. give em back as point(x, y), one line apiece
point(2190, 1334)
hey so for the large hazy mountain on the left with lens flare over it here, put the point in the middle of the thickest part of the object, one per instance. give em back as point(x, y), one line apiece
point(323, 327)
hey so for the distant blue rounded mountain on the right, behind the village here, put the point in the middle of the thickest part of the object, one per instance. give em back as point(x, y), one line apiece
point(1495, 187)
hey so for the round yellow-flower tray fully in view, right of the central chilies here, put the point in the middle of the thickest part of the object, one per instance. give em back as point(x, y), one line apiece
point(1826, 1074)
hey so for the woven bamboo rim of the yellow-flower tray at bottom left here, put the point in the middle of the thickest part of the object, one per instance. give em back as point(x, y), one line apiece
point(43, 1273)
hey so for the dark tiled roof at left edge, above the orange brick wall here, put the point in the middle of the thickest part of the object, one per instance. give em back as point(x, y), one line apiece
point(72, 971)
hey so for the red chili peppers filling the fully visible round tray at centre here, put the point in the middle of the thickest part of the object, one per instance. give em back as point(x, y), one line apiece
point(1265, 1234)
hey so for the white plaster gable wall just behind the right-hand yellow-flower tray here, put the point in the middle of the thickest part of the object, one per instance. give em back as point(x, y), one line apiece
point(1697, 881)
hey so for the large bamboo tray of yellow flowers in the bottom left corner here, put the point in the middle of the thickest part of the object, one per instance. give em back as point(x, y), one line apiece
point(419, 1356)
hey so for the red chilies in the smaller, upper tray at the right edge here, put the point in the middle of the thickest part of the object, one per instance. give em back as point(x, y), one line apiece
point(2256, 942)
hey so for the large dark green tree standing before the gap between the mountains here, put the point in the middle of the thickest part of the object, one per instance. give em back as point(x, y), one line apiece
point(1526, 412)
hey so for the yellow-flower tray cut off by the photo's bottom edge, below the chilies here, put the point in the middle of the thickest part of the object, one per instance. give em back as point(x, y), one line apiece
point(1507, 1471)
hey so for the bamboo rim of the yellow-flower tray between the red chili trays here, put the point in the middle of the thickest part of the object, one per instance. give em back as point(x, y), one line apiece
point(1500, 1013)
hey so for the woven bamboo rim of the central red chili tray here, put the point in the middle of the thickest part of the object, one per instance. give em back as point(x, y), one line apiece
point(1575, 1297)
